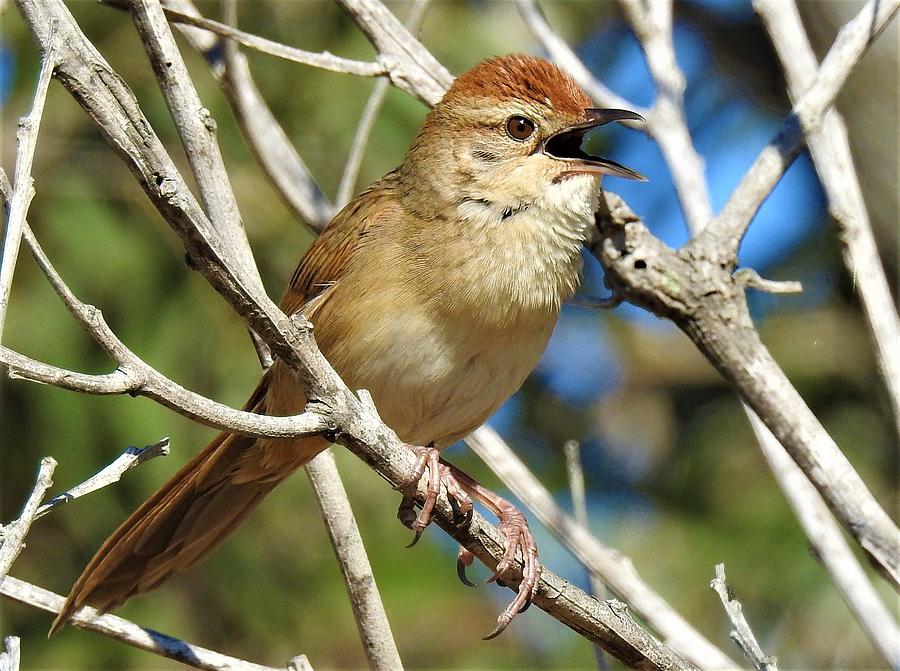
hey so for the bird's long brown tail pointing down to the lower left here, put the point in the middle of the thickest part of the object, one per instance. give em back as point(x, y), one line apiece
point(188, 518)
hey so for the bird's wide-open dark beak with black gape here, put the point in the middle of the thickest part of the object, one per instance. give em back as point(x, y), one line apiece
point(566, 146)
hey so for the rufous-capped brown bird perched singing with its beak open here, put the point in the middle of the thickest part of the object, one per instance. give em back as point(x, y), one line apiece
point(436, 289)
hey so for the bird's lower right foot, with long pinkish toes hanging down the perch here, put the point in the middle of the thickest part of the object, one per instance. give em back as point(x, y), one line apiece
point(516, 536)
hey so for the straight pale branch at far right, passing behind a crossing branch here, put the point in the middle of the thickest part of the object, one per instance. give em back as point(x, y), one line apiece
point(831, 155)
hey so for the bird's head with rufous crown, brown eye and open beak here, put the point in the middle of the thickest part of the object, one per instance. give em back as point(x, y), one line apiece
point(508, 131)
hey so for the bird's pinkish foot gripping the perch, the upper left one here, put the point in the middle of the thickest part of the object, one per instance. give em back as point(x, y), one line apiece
point(438, 473)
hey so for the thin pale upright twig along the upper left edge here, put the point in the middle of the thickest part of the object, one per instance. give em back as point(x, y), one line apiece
point(23, 192)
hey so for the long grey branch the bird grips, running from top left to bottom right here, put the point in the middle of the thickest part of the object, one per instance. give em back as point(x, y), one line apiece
point(109, 102)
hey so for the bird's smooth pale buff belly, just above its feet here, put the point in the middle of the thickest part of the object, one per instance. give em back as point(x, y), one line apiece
point(433, 379)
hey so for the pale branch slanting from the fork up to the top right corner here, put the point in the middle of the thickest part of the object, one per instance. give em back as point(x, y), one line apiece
point(804, 120)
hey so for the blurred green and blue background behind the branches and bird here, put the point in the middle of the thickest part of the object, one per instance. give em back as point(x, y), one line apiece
point(675, 479)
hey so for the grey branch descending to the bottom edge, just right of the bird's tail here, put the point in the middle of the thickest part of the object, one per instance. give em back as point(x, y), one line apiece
point(368, 609)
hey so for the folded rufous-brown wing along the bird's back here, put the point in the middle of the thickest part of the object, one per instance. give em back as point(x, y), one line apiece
point(324, 262)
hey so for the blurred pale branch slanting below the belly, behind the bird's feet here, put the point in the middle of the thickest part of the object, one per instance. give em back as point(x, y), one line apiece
point(614, 568)
